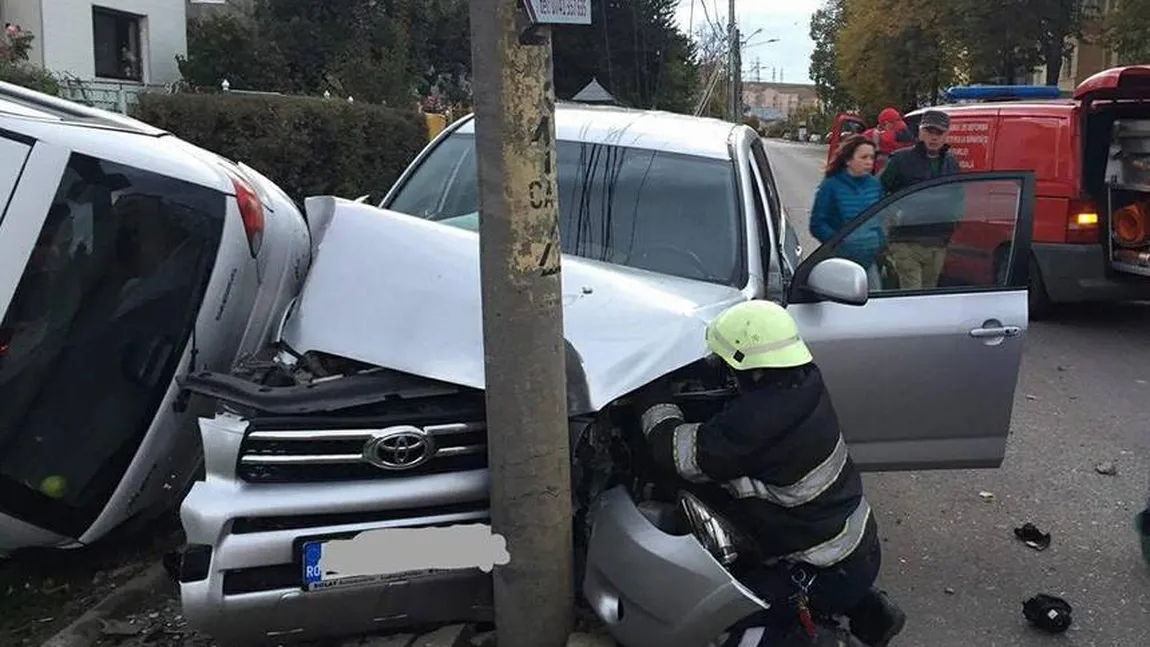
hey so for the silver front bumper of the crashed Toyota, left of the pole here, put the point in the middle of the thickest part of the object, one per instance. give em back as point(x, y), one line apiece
point(244, 588)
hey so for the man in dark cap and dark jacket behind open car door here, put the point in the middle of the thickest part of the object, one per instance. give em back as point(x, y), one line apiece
point(919, 238)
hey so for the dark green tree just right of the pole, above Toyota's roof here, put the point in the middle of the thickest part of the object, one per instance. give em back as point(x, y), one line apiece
point(634, 48)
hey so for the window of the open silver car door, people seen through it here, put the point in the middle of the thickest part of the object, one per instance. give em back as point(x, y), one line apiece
point(948, 237)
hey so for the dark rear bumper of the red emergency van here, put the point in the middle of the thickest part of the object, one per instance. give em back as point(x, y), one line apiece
point(1079, 273)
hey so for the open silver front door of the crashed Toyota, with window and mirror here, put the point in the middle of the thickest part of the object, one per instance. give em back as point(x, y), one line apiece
point(923, 365)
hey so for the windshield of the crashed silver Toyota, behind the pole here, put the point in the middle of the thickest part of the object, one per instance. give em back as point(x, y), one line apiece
point(649, 210)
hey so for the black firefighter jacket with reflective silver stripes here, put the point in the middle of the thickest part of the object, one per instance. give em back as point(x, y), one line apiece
point(778, 452)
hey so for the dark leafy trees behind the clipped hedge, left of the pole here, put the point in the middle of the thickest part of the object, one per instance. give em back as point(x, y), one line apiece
point(381, 51)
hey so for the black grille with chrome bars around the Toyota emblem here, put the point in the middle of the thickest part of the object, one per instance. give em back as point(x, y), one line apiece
point(305, 456)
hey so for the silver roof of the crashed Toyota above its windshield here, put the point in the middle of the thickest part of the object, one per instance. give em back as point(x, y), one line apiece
point(656, 130)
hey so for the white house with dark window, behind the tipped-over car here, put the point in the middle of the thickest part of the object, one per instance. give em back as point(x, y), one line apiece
point(125, 42)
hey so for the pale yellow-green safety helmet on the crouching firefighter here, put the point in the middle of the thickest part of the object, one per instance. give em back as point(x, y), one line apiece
point(757, 335)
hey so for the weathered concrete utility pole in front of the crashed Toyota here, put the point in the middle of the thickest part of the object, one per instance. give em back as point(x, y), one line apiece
point(523, 322)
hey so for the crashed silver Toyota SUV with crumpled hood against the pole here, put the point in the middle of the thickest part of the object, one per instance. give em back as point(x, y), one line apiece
point(369, 415)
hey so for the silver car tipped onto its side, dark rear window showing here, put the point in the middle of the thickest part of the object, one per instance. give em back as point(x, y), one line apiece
point(127, 258)
